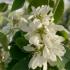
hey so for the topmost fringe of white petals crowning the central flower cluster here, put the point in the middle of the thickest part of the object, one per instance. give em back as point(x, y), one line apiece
point(43, 10)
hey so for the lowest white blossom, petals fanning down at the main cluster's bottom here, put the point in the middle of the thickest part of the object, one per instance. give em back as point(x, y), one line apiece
point(37, 61)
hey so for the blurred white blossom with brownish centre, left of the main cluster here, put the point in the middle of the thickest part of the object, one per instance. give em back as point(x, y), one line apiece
point(12, 23)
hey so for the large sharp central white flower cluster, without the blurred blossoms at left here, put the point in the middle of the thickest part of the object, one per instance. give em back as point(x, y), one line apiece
point(47, 46)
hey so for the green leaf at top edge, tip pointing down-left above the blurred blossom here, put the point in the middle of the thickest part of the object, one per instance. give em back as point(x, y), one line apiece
point(17, 4)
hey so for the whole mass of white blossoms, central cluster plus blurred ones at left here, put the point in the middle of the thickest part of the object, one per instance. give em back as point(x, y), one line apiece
point(41, 30)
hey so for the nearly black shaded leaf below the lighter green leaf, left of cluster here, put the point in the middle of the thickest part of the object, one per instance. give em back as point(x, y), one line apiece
point(16, 52)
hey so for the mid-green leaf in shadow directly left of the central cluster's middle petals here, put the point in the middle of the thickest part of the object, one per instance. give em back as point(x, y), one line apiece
point(19, 39)
